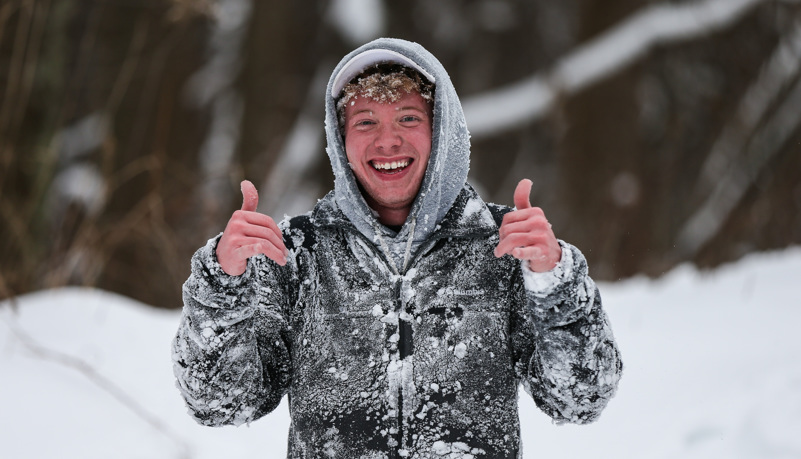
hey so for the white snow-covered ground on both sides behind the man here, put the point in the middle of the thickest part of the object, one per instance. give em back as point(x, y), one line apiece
point(712, 370)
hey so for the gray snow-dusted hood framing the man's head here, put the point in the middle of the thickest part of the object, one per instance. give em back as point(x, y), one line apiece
point(445, 175)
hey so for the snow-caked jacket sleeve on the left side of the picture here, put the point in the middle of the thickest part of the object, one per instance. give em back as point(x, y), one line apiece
point(231, 355)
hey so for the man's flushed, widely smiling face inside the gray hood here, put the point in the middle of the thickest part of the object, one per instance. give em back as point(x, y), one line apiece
point(388, 146)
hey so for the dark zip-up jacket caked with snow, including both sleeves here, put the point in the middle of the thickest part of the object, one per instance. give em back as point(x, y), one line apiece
point(382, 363)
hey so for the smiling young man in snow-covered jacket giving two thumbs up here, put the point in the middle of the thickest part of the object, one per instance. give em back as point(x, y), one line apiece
point(402, 313)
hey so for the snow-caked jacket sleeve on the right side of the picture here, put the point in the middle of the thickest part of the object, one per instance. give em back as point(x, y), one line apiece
point(567, 358)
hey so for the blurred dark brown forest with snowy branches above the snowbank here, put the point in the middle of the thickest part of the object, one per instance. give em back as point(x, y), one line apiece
point(126, 126)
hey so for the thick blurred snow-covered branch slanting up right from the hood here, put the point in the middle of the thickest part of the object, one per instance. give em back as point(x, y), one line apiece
point(533, 97)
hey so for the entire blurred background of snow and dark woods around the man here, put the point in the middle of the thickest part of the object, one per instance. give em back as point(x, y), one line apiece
point(663, 138)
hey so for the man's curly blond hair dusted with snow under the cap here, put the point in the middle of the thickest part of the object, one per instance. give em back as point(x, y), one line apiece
point(383, 83)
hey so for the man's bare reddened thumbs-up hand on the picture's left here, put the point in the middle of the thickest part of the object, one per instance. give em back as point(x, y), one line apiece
point(249, 233)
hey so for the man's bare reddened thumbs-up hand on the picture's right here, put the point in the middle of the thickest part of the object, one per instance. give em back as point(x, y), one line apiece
point(527, 235)
